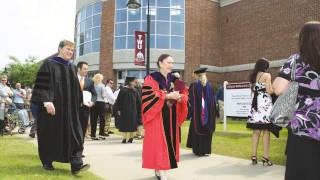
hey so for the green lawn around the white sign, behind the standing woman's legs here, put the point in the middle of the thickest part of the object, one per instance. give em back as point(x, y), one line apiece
point(236, 142)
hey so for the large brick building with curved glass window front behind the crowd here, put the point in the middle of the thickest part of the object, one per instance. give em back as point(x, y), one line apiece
point(227, 36)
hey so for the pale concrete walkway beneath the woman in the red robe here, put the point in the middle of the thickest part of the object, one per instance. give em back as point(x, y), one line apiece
point(113, 160)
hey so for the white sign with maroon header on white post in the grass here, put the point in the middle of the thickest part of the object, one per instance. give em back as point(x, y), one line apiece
point(237, 100)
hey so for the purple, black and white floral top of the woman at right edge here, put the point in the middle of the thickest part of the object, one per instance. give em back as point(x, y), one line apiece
point(306, 119)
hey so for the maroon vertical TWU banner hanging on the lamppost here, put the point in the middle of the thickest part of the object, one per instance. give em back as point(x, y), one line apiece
point(140, 44)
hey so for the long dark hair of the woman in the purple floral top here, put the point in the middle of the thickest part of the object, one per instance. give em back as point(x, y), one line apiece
point(309, 44)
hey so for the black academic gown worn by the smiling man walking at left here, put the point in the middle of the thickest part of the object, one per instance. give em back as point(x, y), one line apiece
point(60, 136)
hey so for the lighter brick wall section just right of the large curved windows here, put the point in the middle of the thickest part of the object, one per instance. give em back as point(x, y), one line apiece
point(202, 36)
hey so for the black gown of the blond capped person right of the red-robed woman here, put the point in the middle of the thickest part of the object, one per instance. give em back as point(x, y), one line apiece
point(200, 134)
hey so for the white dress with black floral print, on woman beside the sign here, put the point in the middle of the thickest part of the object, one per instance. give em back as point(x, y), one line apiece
point(260, 109)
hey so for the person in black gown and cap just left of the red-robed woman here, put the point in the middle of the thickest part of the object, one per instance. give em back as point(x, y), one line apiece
point(128, 109)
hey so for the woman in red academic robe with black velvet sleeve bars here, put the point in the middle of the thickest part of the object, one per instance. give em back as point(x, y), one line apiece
point(163, 111)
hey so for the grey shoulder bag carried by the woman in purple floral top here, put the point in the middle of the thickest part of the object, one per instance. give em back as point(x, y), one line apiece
point(284, 107)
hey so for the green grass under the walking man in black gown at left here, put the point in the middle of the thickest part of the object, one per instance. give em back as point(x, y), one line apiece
point(19, 160)
